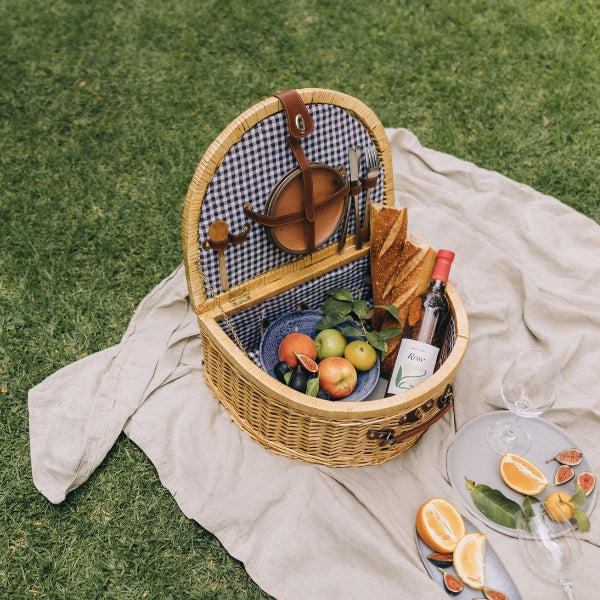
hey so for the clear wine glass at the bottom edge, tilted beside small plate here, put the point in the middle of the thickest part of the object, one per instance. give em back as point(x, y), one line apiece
point(551, 548)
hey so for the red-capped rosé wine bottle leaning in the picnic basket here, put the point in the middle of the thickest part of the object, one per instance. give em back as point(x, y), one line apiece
point(424, 331)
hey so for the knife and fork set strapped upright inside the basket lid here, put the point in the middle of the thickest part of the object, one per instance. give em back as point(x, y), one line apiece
point(373, 167)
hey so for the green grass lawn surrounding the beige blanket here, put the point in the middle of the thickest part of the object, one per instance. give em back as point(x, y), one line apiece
point(106, 108)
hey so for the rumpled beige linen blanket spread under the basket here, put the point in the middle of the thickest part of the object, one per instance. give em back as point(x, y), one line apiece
point(527, 269)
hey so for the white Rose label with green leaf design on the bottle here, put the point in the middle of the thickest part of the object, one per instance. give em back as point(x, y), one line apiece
point(415, 362)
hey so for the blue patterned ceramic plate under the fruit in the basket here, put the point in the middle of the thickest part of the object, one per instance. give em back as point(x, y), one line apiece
point(305, 321)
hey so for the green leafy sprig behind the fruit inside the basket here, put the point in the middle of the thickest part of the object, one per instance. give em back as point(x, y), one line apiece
point(340, 307)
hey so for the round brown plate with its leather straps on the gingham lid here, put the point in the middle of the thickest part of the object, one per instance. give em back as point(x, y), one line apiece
point(305, 207)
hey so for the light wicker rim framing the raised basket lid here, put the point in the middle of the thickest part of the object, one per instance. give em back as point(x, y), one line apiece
point(212, 159)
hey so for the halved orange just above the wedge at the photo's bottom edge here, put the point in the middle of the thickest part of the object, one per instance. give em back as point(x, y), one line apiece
point(440, 525)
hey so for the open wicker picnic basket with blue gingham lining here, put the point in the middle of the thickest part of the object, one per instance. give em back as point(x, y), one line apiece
point(261, 282)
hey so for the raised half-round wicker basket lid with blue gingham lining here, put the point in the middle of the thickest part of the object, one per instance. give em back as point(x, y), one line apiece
point(242, 165)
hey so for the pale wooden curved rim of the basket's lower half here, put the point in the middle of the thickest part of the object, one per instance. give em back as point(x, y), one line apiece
point(349, 411)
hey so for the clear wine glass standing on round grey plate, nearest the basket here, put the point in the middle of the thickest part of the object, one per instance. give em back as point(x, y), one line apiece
point(529, 389)
